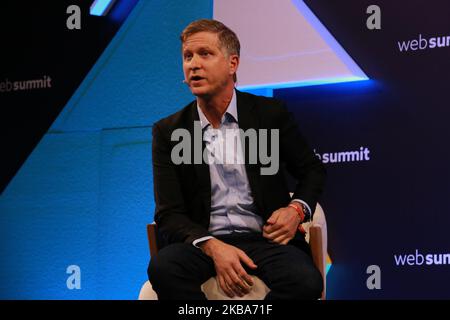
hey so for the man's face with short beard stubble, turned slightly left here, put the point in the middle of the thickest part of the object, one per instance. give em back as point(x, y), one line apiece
point(207, 68)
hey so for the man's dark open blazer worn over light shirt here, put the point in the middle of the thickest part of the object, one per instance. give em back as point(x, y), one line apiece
point(183, 192)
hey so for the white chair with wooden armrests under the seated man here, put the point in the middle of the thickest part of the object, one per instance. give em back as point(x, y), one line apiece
point(316, 235)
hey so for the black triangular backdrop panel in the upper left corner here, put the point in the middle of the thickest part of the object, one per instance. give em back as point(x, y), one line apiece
point(36, 43)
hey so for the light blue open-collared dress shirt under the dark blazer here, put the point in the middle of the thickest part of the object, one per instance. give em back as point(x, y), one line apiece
point(232, 206)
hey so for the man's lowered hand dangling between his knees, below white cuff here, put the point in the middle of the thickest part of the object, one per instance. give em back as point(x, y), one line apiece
point(232, 277)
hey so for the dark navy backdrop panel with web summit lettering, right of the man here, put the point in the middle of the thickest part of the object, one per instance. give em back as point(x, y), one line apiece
point(395, 203)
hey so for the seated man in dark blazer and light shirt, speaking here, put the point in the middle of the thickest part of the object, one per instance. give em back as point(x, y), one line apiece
point(228, 218)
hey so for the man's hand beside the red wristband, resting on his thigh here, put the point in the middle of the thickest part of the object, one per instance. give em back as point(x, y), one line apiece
point(282, 225)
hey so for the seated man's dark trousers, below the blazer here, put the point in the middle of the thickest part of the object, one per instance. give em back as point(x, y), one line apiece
point(179, 270)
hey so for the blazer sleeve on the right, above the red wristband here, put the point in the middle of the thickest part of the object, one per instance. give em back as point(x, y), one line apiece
point(300, 160)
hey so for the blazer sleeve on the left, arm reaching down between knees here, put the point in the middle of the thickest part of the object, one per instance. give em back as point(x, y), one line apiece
point(171, 216)
